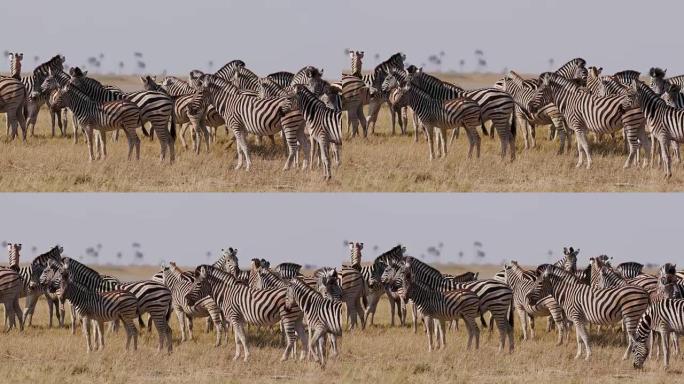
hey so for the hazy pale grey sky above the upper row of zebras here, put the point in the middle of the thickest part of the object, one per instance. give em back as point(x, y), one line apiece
point(272, 35)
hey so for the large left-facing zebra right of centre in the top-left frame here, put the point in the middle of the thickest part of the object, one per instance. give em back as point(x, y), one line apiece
point(248, 114)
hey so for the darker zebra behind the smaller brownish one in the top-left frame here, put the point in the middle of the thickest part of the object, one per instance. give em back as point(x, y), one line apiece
point(155, 108)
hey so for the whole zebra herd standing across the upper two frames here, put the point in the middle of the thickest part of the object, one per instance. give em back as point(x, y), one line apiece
point(306, 110)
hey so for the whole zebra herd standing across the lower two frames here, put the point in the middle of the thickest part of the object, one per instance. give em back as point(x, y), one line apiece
point(308, 308)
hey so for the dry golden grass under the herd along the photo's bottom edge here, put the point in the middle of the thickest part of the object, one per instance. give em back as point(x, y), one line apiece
point(379, 354)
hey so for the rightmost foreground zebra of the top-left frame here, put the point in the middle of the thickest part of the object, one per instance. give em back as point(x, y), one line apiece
point(325, 126)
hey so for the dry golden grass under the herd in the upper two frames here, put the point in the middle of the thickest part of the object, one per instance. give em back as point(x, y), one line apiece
point(380, 163)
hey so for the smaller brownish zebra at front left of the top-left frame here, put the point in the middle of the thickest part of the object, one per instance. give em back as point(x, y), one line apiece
point(101, 116)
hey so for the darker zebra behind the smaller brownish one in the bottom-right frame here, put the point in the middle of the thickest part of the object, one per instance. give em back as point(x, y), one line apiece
point(495, 297)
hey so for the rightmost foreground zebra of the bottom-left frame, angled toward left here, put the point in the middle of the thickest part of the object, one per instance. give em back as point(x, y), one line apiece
point(322, 315)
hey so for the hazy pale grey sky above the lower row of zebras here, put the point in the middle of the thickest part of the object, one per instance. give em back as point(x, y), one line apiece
point(311, 228)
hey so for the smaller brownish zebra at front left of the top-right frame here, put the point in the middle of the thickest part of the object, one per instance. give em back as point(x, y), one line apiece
point(435, 113)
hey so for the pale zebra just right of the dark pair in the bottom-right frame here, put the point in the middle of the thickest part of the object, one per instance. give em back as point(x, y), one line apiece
point(522, 282)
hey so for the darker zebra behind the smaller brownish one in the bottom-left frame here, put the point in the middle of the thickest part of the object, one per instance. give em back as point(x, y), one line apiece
point(153, 297)
